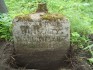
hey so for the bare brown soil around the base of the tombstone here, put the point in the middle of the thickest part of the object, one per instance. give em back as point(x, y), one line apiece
point(7, 61)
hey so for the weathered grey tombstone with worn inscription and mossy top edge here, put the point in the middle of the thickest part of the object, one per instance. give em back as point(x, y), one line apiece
point(41, 39)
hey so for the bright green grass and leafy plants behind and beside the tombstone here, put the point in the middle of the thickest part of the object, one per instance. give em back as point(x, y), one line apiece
point(79, 13)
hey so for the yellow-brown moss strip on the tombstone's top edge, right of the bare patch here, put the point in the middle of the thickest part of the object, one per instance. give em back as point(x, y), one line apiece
point(51, 17)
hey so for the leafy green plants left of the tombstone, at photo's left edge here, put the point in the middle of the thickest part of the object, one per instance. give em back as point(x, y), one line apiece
point(5, 27)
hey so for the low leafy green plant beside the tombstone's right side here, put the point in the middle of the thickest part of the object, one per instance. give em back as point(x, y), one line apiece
point(77, 39)
